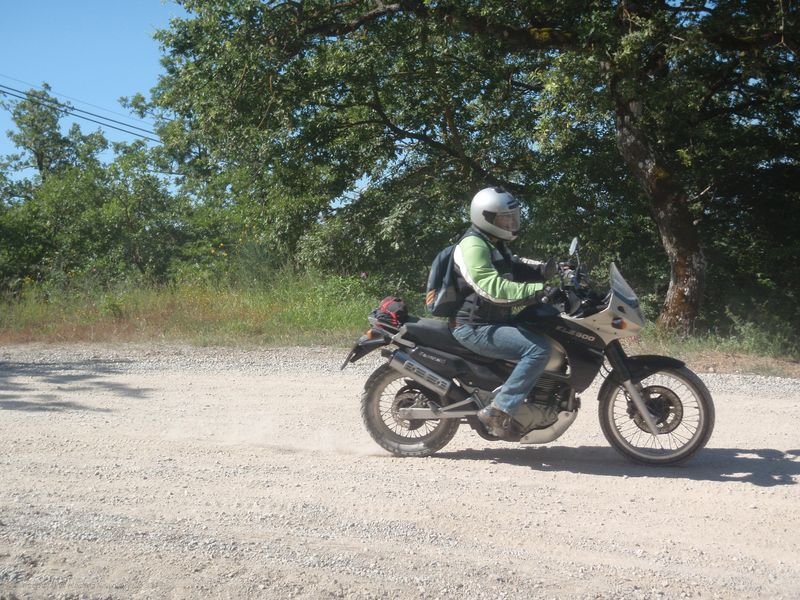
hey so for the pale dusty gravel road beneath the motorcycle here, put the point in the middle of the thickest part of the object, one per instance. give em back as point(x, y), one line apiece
point(176, 472)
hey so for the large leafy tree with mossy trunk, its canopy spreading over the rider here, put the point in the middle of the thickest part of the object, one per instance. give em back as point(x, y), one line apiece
point(323, 97)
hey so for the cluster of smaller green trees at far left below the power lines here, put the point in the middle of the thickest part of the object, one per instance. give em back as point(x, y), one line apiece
point(76, 218)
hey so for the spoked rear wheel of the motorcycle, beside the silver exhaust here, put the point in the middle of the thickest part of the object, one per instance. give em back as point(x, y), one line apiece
point(387, 391)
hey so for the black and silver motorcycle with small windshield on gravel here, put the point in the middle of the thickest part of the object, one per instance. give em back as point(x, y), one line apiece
point(652, 409)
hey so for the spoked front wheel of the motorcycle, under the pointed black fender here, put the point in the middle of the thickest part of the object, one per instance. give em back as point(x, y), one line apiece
point(681, 406)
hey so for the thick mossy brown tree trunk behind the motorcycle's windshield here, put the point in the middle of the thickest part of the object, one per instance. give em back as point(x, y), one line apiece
point(670, 210)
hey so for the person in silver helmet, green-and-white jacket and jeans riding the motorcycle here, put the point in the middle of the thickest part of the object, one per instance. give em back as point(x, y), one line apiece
point(492, 281)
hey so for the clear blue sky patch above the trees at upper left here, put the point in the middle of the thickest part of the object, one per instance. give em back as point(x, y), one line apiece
point(90, 52)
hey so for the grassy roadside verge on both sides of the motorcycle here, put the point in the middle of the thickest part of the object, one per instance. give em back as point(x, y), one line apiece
point(301, 310)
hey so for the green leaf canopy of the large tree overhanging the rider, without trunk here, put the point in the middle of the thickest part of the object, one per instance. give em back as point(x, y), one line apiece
point(375, 123)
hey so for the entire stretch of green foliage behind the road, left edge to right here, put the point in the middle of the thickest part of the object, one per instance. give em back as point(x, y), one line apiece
point(348, 138)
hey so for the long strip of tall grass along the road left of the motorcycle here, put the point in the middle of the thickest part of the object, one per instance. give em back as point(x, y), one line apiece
point(293, 310)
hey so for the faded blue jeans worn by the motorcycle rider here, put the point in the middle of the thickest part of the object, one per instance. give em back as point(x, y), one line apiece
point(508, 342)
